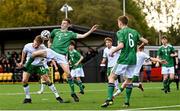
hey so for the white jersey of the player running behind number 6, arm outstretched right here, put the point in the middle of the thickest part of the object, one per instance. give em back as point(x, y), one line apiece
point(141, 56)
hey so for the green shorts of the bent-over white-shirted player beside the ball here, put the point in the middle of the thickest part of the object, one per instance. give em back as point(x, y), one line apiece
point(41, 70)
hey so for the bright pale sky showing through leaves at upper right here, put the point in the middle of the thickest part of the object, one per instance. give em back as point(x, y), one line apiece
point(168, 14)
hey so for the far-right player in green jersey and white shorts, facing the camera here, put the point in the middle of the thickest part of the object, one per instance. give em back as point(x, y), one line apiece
point(167, 52)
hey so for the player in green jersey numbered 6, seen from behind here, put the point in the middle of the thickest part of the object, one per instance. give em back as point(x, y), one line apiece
point(127, 42)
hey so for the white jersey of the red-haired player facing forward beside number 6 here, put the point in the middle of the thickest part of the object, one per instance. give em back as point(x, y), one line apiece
point(111, 60)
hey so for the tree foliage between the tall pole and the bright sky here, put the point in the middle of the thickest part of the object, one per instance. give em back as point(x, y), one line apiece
point(139, 22)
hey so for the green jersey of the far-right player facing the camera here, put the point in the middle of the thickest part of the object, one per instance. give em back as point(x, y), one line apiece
point(164, 53)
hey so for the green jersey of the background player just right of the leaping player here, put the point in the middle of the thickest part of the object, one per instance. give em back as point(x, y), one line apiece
point(74, 57)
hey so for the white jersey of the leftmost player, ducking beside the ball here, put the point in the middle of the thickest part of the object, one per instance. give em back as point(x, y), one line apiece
point(38, 61)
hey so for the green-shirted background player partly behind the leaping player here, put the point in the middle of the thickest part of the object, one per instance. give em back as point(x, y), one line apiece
point(77, 72)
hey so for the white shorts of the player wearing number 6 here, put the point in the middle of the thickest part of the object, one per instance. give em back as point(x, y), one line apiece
point(125, 70)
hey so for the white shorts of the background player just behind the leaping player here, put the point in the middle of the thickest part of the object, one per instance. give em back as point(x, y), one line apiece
point(78, 72)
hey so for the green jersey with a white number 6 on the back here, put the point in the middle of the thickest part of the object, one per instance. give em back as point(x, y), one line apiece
point(129, 37)
